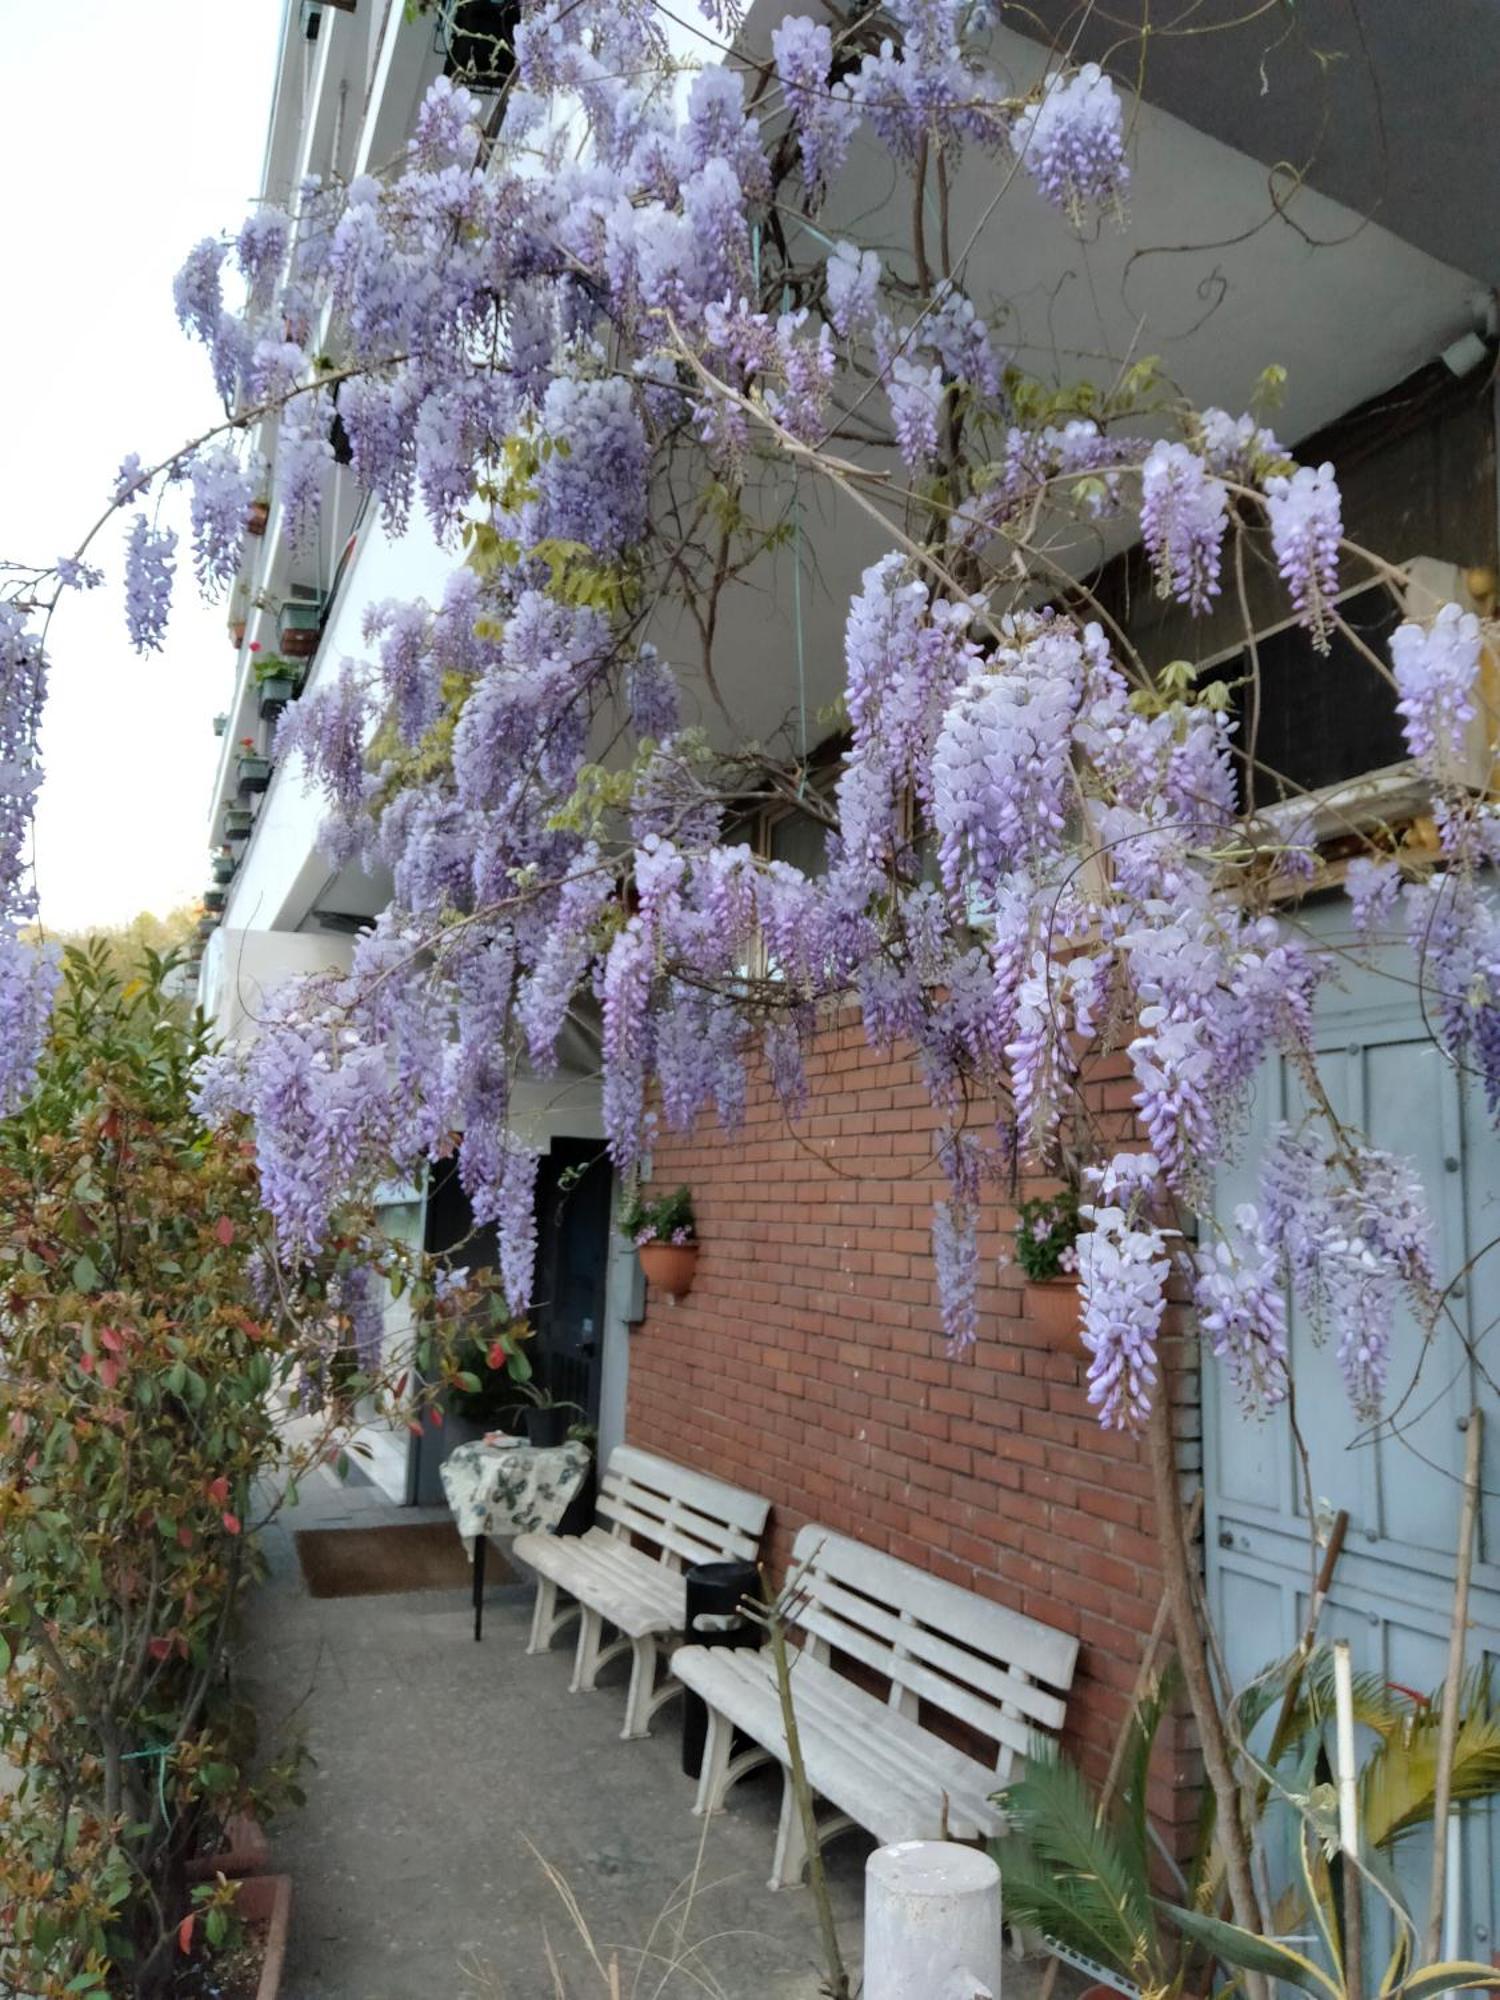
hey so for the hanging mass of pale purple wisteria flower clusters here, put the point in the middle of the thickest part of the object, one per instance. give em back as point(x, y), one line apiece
point(595, 355)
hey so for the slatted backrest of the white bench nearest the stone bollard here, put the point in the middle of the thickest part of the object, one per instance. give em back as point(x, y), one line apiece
point(939, 1645)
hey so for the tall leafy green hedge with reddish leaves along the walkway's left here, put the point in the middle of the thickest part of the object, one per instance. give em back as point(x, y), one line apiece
point(149, 1331)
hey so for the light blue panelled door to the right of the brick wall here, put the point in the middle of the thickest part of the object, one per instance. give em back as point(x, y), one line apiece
point(1401, 1479)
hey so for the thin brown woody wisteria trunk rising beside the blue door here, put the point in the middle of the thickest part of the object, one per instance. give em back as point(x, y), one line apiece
point(1193, 1655)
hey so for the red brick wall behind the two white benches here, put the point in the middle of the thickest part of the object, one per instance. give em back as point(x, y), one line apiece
point(809, 1365)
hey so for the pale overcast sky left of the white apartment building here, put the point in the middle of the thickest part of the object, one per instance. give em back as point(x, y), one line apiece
point(127, 133)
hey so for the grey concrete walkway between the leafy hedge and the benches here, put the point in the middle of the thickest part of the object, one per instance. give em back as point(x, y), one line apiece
point(449, 1773)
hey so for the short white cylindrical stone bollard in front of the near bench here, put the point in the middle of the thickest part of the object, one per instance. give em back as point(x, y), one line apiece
point(931, 1923)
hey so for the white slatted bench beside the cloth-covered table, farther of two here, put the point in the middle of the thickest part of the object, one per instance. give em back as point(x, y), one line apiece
point(687, 1519)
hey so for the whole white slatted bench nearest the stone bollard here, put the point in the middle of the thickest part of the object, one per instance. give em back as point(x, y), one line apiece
point(877, 1759)
